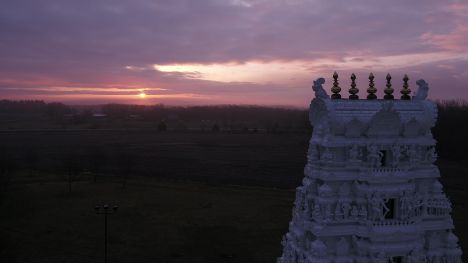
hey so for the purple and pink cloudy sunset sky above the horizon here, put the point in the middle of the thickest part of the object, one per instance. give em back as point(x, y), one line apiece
point(194, 52)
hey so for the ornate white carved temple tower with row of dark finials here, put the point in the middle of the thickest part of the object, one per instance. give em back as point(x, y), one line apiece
point(371, 191)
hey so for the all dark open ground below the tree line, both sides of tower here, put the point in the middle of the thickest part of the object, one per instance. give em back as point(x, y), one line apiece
point(190, 197)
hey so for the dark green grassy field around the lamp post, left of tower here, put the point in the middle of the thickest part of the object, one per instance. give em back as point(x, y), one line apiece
point(157, 221)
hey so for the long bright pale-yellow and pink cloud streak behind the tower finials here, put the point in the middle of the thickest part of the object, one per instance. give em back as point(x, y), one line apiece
point(283, 72)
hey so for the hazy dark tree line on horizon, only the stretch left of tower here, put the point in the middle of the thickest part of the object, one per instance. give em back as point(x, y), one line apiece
point(17, 114)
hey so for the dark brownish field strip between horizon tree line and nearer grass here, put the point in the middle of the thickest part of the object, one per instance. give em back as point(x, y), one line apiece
point(275, 160)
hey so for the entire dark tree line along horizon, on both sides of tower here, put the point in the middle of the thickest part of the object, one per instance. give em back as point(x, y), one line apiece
point(450, 130)
